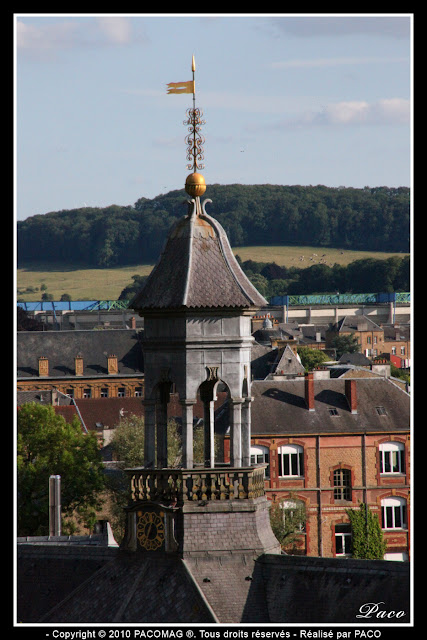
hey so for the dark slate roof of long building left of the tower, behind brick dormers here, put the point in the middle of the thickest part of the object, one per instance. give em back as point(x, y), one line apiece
point(61, 347)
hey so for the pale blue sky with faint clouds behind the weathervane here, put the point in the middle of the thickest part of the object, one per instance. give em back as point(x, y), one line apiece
point(287, 99)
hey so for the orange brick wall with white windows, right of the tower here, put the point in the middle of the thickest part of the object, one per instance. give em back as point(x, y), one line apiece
point(360, 456)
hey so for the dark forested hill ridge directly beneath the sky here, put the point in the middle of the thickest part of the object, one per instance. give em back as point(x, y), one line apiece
point(369, 219)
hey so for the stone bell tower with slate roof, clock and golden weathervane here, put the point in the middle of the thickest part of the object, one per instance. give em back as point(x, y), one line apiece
point(197, 305)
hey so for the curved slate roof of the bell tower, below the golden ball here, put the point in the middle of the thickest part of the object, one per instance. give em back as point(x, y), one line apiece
point(197, 269)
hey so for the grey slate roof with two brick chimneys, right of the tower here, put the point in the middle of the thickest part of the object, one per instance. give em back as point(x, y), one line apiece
point(279, 407)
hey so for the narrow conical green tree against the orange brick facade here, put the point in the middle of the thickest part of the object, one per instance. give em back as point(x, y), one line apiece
point(367, 540)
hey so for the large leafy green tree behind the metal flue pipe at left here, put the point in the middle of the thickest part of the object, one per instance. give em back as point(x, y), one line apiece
point(47, 445)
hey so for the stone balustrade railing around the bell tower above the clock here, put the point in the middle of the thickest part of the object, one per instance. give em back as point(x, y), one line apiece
point(182, 485)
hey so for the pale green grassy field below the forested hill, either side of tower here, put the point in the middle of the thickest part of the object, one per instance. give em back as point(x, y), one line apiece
point(107, 284)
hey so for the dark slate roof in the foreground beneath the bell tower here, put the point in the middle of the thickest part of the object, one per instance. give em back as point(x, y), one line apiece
point(93, 585)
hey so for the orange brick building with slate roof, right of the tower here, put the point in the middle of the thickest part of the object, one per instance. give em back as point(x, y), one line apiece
point(331, 444)
